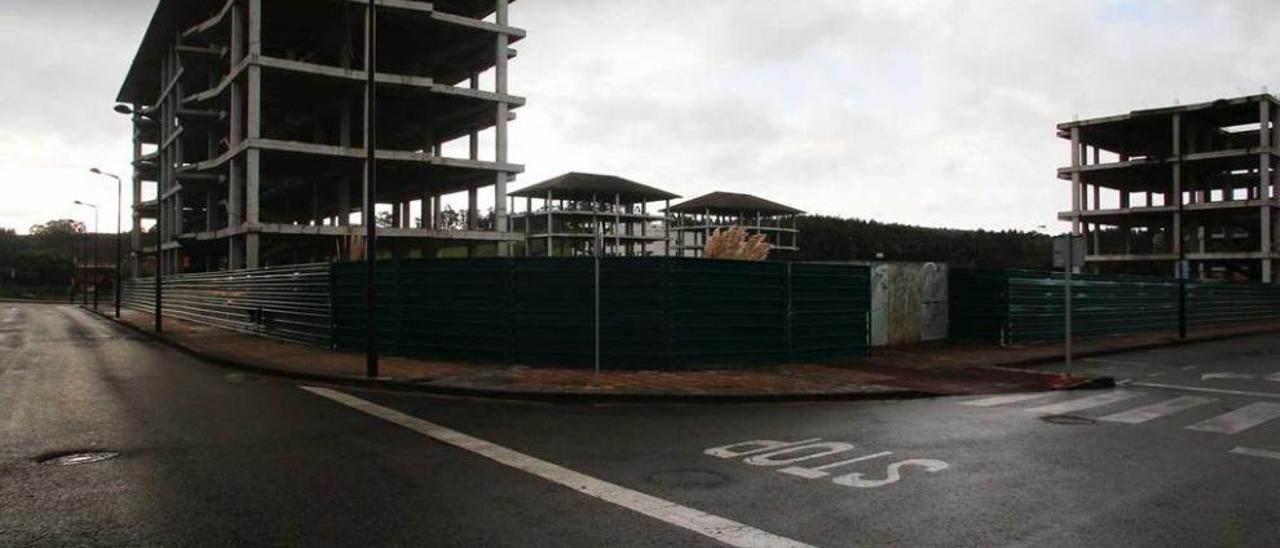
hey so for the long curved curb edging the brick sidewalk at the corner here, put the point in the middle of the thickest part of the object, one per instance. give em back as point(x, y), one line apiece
point(497, 394)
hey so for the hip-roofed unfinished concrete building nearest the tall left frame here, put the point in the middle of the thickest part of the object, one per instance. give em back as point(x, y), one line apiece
point(563, 217)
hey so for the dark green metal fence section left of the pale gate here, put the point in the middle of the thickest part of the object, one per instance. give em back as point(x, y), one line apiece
point(656, 313)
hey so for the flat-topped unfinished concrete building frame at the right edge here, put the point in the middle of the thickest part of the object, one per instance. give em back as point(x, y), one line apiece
point(1194, 182)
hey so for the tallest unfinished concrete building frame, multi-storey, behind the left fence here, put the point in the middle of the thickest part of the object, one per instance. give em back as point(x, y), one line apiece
point(249, 120)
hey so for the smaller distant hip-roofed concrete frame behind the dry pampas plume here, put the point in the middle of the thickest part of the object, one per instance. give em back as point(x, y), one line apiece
point(696, 221)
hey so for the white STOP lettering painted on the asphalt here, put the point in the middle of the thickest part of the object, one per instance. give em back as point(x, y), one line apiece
point(774, 454)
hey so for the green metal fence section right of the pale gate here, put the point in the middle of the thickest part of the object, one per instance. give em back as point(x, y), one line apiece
point(1025, 307)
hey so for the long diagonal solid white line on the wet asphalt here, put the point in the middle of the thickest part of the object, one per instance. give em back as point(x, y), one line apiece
point(725, 531)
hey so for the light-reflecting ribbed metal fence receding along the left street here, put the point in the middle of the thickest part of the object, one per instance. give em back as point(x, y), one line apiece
point(286, 303)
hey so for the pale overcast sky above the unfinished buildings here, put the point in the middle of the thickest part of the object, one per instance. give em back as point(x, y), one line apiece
point(927, 113)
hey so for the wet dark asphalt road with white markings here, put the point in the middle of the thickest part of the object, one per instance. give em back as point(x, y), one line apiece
point(1185, 453)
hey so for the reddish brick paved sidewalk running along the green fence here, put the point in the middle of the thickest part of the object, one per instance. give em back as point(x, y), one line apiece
point(945, 368)
